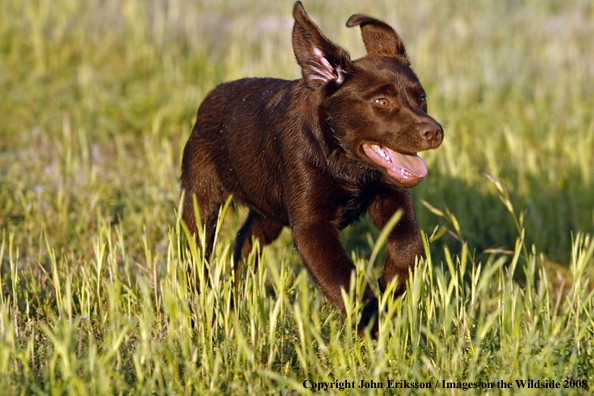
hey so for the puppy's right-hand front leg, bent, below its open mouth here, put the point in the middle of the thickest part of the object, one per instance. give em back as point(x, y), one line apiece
point(404, 242)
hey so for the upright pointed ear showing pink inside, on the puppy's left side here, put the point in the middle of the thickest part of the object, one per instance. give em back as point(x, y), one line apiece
point(320, 59)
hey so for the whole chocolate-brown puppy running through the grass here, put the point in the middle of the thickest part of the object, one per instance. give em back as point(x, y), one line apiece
point(316, 153)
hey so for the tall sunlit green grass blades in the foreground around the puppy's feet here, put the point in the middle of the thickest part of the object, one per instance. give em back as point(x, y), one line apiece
point(103, 331)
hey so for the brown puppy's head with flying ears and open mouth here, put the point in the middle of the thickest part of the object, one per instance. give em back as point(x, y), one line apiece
point(375, 106)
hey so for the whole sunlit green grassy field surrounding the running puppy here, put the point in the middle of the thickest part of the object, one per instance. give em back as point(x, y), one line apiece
point(97, 101)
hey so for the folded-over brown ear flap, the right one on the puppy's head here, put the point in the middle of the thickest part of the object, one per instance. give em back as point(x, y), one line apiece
point(378, 36)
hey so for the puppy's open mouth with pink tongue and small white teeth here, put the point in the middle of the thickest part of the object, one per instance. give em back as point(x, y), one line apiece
point(406, 168)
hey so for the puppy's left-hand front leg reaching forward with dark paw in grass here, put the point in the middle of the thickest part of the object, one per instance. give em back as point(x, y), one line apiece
point(318, 244)
